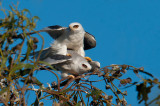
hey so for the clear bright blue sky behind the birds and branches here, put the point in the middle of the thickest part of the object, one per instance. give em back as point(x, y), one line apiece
point(127, 31)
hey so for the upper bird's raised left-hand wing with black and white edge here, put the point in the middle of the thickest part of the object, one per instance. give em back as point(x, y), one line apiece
point(54, 31)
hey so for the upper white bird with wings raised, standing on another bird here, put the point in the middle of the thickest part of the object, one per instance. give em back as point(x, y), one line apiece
point(73, 36)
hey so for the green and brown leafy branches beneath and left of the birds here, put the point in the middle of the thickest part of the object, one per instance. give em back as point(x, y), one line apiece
point(17, 71)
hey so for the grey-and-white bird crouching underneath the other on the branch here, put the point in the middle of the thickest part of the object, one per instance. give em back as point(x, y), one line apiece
point(74, 64)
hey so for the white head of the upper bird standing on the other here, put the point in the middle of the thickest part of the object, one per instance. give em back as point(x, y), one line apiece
point(76, 27)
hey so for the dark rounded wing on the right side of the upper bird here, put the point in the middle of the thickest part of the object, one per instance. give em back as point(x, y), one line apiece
point(89, 41)
